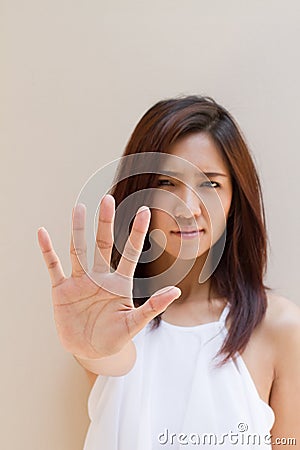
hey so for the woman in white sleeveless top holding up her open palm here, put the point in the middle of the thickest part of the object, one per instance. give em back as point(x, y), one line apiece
point(213, 353)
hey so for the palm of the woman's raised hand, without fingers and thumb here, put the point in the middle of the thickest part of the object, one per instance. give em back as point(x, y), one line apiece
point(86, 313)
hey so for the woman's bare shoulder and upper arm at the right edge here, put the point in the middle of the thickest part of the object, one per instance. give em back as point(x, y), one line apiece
point(283, 322)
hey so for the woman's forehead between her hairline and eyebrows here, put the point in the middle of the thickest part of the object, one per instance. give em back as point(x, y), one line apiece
point(200, 151)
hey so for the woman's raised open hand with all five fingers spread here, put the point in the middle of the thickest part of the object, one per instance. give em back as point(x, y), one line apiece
point(94, 311)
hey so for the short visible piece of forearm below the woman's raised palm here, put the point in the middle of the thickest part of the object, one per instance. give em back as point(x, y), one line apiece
point(116, 365)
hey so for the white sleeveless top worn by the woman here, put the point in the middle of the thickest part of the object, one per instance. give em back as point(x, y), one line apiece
point(176, 398)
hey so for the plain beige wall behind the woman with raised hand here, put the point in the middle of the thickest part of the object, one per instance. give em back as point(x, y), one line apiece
point(76, 77)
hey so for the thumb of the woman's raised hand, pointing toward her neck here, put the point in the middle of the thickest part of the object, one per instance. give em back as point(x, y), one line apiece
point(155, 305)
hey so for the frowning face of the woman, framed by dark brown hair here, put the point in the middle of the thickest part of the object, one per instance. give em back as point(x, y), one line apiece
point(190, 214)
